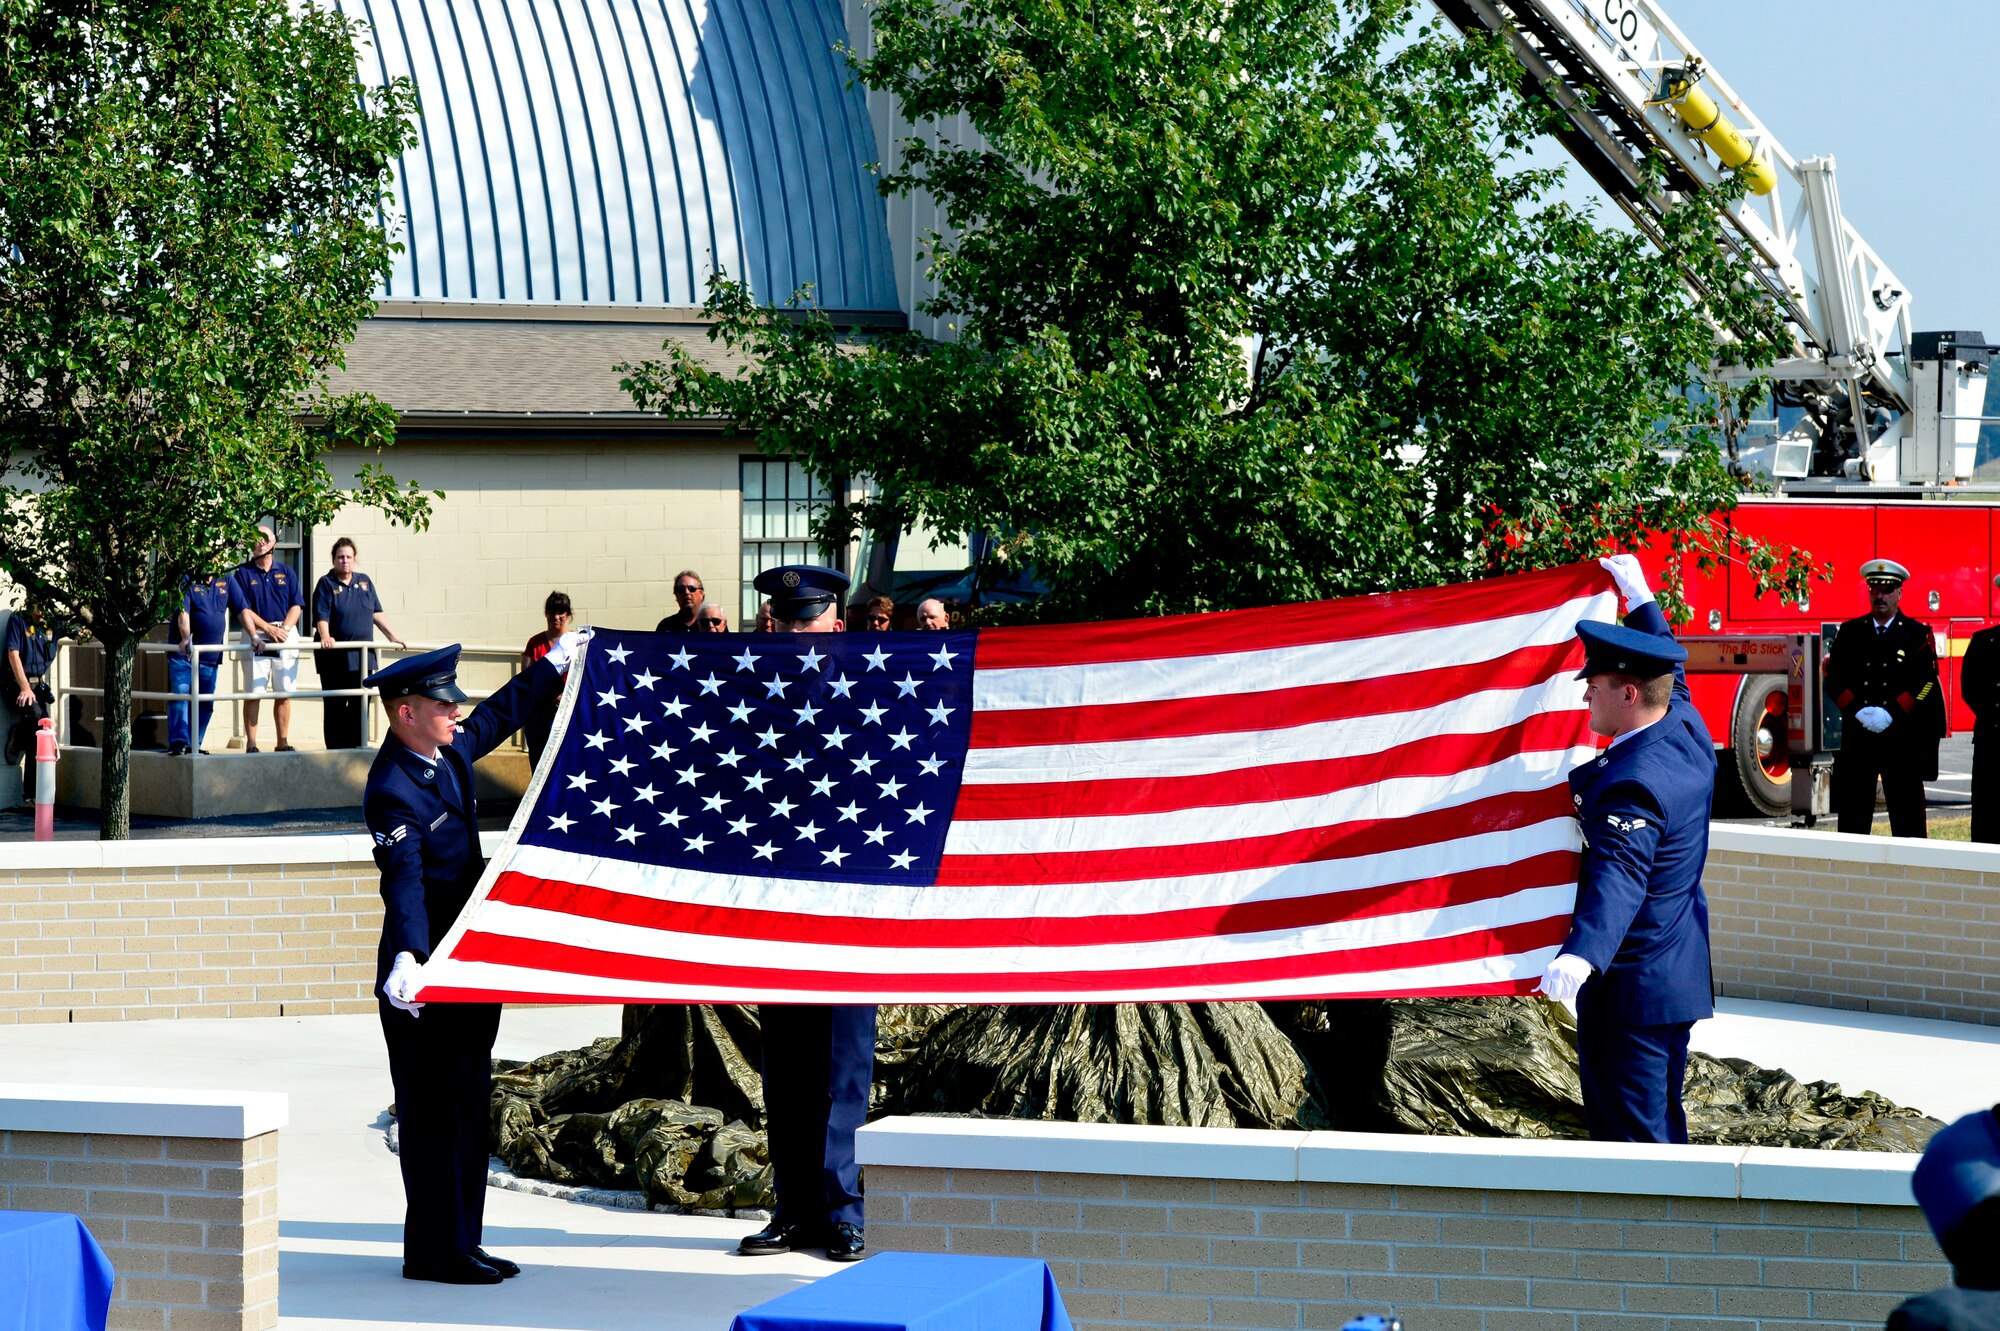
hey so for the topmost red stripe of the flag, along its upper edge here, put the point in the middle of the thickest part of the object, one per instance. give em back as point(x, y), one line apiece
point(1287, 627)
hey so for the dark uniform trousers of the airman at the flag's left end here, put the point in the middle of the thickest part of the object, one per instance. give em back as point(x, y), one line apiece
point(441, 1064)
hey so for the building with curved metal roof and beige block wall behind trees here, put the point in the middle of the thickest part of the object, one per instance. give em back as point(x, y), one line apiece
point(583, 171)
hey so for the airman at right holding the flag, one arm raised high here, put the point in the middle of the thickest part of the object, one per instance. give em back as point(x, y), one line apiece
point(1637, 954)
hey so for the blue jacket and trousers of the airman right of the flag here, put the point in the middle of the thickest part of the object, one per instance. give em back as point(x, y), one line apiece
point(1641, 916)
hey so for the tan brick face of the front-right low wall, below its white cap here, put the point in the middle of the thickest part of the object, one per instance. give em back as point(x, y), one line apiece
point(1133, 1252)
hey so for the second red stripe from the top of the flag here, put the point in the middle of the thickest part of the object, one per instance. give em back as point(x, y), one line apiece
point(1271, 708)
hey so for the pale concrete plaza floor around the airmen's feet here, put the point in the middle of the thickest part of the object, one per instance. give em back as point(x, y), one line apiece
point(607, 1270)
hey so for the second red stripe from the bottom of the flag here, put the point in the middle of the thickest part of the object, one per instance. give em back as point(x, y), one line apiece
point(571, 960)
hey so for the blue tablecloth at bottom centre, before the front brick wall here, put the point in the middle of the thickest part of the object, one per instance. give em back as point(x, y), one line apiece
point(921, 1292)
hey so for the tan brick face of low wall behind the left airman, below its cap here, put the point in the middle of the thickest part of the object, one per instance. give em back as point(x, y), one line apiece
point(187, 942)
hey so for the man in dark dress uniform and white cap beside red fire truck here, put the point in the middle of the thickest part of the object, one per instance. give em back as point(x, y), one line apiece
point(1883, 674)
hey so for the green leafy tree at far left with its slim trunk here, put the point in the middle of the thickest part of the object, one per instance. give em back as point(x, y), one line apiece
point(191, 231)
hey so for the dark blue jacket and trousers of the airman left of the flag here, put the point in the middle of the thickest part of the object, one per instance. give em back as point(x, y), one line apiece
point(427, 844)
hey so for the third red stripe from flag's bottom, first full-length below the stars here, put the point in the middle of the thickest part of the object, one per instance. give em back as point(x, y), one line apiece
point(1255, 916)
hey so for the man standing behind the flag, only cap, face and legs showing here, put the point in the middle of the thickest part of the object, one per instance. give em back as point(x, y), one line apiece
point(819, 1060)
